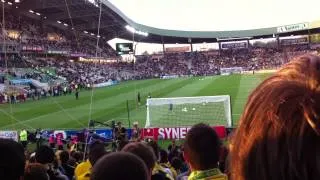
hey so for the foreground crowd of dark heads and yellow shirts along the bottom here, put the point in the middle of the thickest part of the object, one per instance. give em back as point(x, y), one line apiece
point(138, 159)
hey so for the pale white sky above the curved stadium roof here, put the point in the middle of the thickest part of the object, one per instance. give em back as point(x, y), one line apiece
point(218, 15)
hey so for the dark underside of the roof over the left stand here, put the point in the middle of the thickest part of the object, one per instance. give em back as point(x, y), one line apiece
point(79, 13)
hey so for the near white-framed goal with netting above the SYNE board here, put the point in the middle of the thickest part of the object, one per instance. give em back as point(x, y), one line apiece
point(187, 111)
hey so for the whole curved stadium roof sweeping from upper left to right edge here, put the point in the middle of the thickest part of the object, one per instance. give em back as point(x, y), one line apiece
point(83, 15)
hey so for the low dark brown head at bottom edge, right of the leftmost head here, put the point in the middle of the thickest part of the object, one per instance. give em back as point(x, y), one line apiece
point(35, 171)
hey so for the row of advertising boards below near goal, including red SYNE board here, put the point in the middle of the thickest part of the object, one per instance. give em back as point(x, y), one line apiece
point(168, 133)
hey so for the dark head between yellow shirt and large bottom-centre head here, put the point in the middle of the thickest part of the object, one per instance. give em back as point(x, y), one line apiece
point(96, 151)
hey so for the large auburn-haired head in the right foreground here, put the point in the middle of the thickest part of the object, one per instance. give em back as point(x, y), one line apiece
point(278, 135)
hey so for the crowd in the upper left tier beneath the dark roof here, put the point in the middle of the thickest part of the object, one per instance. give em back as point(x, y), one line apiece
point(30, 33)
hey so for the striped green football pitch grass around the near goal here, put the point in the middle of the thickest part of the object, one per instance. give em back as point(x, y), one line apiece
point(110, 103)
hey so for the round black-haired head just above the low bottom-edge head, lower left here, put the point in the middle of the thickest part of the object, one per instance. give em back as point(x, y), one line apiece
point(44, 155)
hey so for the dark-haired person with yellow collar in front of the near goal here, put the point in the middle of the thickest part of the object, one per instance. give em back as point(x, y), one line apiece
point(202, 152)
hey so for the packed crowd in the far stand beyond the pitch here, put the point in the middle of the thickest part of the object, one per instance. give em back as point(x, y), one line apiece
point(190, 63)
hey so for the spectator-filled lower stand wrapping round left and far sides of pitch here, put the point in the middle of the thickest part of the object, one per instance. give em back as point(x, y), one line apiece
point(66, 74)
